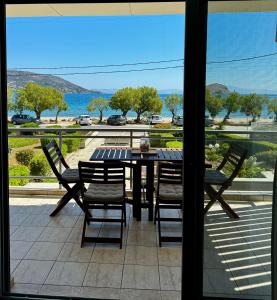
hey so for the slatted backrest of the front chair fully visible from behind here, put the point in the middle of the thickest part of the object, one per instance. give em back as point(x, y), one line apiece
point(102, 173)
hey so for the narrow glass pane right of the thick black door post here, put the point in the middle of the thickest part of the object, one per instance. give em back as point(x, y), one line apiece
point(240, 108)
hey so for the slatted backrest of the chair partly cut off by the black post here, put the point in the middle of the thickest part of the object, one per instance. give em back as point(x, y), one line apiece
point(170, 173)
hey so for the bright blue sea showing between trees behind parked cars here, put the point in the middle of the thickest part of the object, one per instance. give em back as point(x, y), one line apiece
point(77, 105)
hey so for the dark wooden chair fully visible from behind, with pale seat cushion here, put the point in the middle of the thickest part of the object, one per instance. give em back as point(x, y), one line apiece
point(106, 185)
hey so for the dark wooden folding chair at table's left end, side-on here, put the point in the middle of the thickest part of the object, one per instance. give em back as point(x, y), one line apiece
point(68, 176)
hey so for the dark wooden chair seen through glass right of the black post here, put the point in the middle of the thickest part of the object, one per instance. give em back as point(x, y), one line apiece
point(234, 158)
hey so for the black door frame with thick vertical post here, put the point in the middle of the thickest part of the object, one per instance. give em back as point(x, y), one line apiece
point(193, 130)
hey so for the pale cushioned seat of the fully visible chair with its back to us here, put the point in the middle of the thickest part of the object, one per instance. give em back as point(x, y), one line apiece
point(104, 193)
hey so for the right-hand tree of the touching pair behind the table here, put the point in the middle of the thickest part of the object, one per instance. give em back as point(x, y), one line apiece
point(147, 100)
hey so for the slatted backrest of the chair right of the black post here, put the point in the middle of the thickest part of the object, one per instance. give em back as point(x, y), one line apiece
point(234, 157)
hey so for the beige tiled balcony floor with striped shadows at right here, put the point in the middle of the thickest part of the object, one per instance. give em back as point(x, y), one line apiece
point(46, 257)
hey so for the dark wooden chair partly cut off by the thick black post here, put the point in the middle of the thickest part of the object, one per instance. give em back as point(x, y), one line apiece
point(169, 195)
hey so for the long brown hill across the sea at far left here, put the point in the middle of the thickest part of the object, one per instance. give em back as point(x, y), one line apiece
point(18, 79)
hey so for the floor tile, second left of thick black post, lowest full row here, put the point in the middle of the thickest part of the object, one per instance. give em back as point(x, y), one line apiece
point(141, 277)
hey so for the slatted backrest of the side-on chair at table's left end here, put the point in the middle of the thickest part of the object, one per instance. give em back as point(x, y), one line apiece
point(54, 156)
